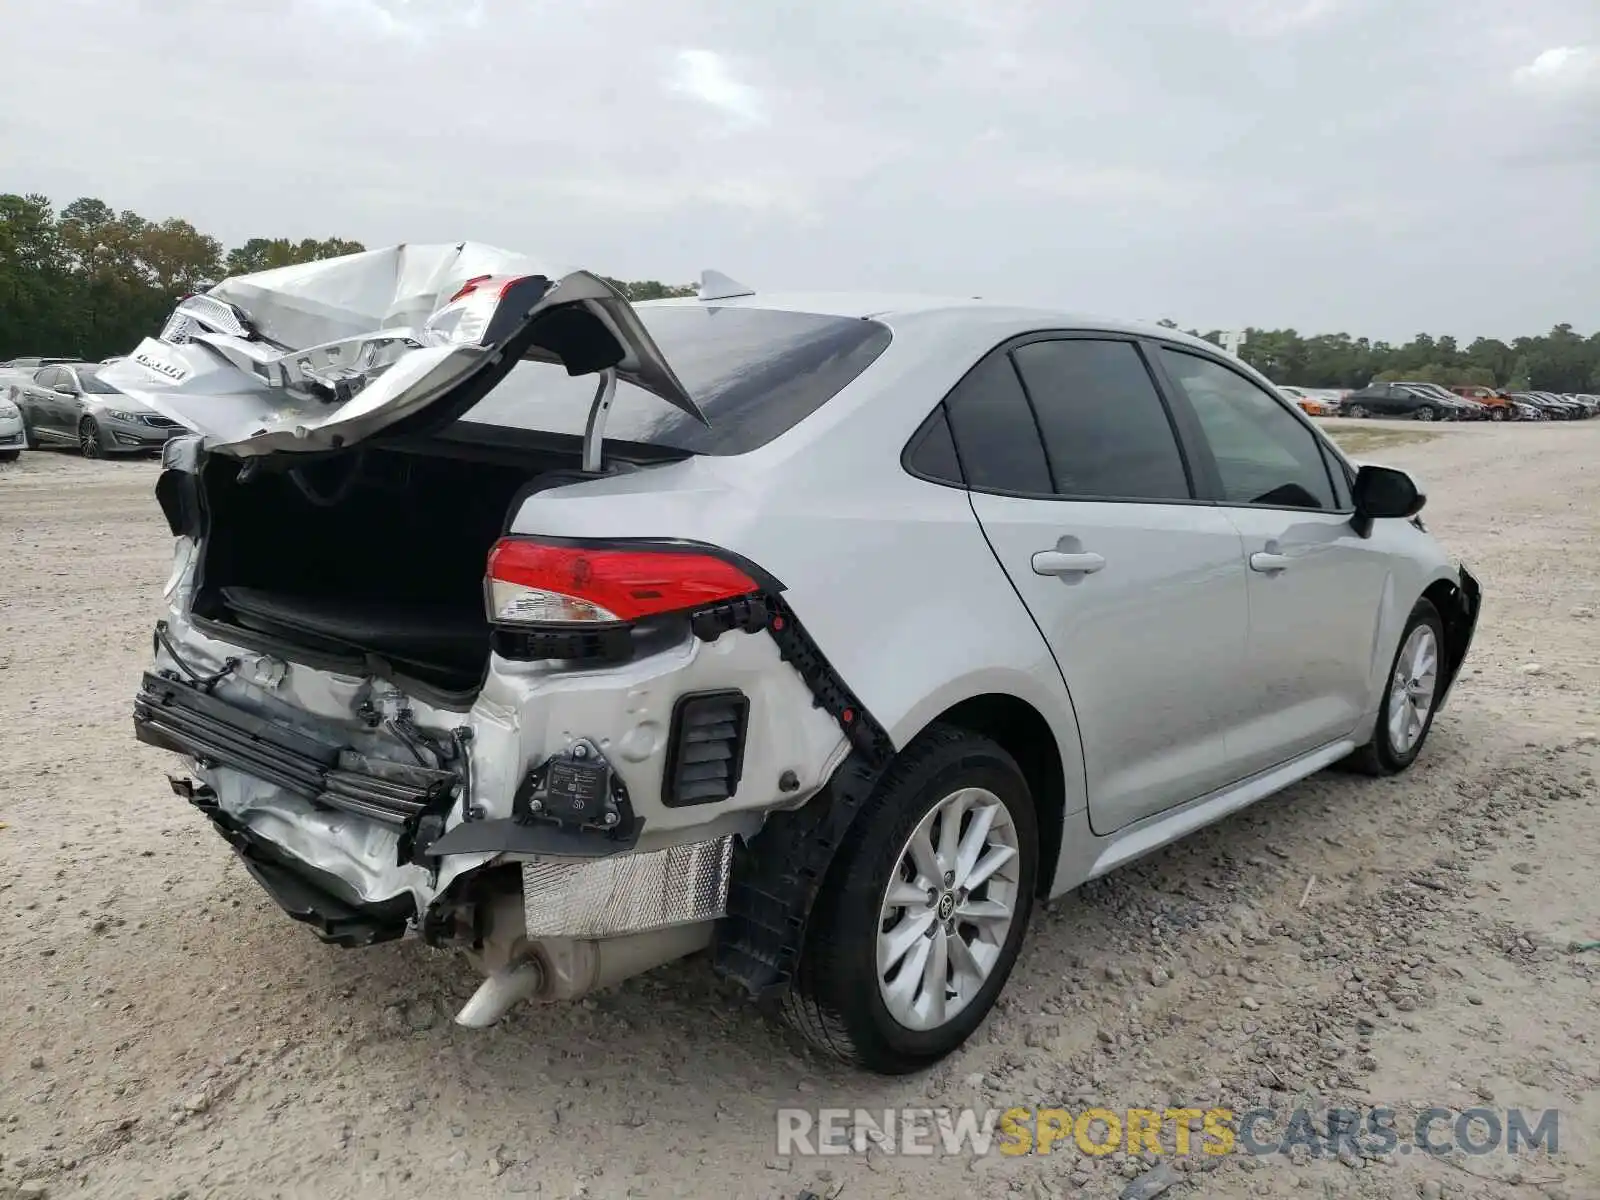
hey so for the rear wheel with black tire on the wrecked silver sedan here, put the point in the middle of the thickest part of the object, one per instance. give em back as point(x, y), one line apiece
point(922, 914)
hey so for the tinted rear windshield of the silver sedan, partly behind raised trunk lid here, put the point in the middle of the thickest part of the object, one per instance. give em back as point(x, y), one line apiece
point(754, 372)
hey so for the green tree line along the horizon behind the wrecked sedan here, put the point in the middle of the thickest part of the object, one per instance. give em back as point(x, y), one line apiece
point(90, 282)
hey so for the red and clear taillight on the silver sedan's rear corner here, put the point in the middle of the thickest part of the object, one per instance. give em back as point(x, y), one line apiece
point(543, 583)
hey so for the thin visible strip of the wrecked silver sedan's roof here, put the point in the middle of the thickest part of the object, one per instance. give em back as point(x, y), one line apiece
point(898, 310)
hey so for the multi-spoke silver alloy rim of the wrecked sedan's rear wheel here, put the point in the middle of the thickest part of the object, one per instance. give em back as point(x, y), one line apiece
point(948, 910)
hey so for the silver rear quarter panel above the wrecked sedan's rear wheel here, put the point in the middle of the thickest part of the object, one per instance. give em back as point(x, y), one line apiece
point(890, 575)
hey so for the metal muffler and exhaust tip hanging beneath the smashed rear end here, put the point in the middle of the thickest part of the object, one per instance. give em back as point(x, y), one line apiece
point(569, 969)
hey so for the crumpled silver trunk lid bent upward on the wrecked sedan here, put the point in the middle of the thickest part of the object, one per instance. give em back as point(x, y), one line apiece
point(319, 356)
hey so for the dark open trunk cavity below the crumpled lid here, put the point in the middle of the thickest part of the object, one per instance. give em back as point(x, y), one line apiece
point(366, 561)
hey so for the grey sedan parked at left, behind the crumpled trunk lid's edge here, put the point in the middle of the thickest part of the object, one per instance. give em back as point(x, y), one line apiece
point(70, 406)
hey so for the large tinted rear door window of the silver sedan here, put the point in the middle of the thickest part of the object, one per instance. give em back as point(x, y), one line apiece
point(1106, 430)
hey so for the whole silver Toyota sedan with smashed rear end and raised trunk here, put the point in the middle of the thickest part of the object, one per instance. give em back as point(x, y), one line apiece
point(830, 633)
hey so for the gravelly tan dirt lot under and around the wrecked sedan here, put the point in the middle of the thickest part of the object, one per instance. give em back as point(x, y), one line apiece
point(167, 1033)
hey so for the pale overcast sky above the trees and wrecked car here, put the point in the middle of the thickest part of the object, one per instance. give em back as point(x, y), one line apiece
point(1378, 167)
